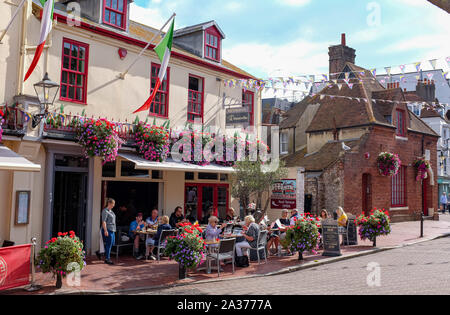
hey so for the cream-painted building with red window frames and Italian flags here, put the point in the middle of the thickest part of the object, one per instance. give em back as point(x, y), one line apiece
point(86, 60)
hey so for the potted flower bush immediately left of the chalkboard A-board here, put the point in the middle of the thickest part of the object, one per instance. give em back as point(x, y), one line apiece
point(303, 236)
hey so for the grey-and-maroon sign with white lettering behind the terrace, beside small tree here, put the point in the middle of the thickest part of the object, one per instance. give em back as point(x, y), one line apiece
point(284, 194)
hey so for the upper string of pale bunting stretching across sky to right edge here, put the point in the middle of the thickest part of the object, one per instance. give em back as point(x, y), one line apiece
point(309, 79)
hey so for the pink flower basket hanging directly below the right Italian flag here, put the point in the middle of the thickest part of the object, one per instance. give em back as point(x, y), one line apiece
point(152, 142)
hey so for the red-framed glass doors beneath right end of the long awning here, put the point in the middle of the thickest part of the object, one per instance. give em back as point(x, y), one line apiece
point(201, 198)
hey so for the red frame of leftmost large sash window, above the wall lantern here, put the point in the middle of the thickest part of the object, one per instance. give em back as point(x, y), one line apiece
point(67, 73)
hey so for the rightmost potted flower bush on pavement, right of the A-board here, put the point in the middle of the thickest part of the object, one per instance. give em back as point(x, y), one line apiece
point(376, 224)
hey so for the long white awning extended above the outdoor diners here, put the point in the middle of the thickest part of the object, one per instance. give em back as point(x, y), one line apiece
point(171, 165)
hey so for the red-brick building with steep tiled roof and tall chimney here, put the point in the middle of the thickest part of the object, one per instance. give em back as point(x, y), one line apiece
point(357, 119)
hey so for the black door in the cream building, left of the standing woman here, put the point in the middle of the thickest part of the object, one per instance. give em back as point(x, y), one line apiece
point(69, 206)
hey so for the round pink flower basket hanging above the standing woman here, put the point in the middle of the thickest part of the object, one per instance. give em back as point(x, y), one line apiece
point(98, 138)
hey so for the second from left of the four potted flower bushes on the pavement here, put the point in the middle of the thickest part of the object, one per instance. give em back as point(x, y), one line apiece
point(187, 248)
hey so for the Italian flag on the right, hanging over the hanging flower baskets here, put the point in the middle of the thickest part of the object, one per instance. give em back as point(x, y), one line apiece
point(163, 50)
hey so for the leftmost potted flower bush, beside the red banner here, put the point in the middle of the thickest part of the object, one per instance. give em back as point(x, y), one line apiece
point(59, 254)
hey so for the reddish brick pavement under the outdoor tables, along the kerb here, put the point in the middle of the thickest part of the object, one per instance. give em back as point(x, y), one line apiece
point(130, 274)
